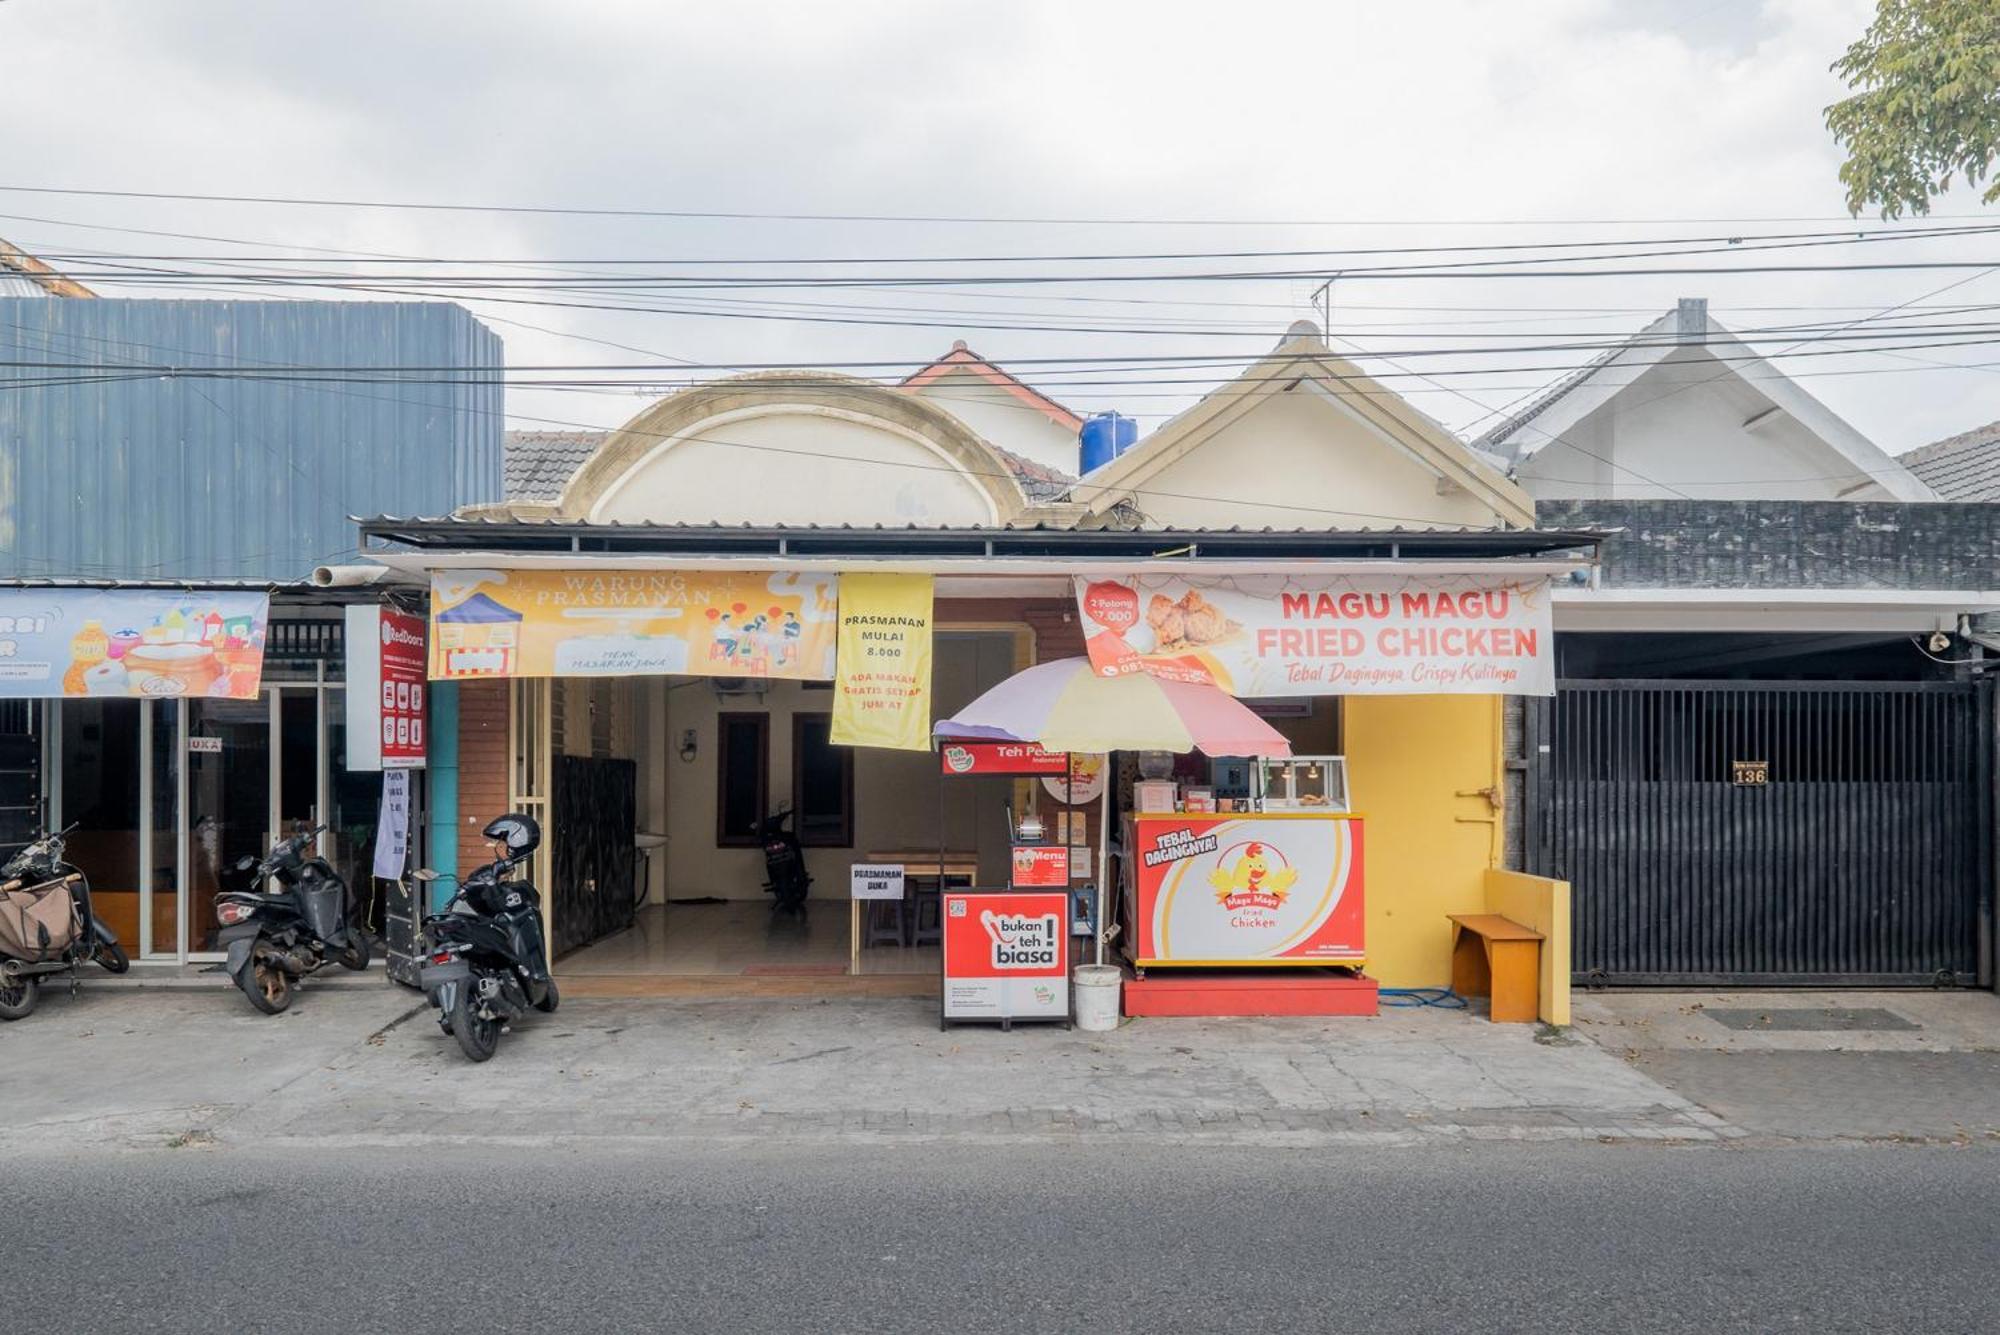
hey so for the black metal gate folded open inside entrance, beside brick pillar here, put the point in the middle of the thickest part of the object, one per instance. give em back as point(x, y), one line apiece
point(597, 856)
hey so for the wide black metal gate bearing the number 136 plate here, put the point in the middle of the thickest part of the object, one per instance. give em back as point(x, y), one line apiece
point(1769, 832)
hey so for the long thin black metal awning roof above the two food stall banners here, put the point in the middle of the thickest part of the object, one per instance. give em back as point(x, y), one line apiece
point(1037, 543)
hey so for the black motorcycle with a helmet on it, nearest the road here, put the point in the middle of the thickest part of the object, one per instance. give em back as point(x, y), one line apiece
point(485, 958)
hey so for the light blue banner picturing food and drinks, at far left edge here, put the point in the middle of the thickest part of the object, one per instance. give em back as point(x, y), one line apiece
point(131, 643)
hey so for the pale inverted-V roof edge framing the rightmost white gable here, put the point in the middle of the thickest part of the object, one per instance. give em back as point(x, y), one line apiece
point(1579, 395)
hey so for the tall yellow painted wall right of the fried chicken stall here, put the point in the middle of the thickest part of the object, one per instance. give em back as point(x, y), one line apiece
point(1427, 848)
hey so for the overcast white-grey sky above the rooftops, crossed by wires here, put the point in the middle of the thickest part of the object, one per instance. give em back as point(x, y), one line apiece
point(1011, 129)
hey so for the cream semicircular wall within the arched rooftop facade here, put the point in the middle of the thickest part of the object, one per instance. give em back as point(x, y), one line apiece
point(795, 467)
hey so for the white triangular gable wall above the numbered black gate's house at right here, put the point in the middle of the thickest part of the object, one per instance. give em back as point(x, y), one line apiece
point(1679, 431)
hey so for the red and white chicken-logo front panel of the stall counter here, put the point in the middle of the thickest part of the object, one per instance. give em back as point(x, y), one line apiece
point(1273, 890)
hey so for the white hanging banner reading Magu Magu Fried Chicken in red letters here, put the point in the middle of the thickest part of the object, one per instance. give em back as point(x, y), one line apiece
point(1335, 637)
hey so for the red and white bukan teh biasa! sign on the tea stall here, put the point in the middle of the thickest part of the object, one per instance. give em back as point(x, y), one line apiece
point(1007, 954)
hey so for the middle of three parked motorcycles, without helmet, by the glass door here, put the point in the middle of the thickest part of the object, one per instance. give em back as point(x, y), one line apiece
point(279, 938)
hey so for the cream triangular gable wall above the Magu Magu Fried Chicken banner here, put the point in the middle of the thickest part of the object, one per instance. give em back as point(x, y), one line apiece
point(1299, 461)
